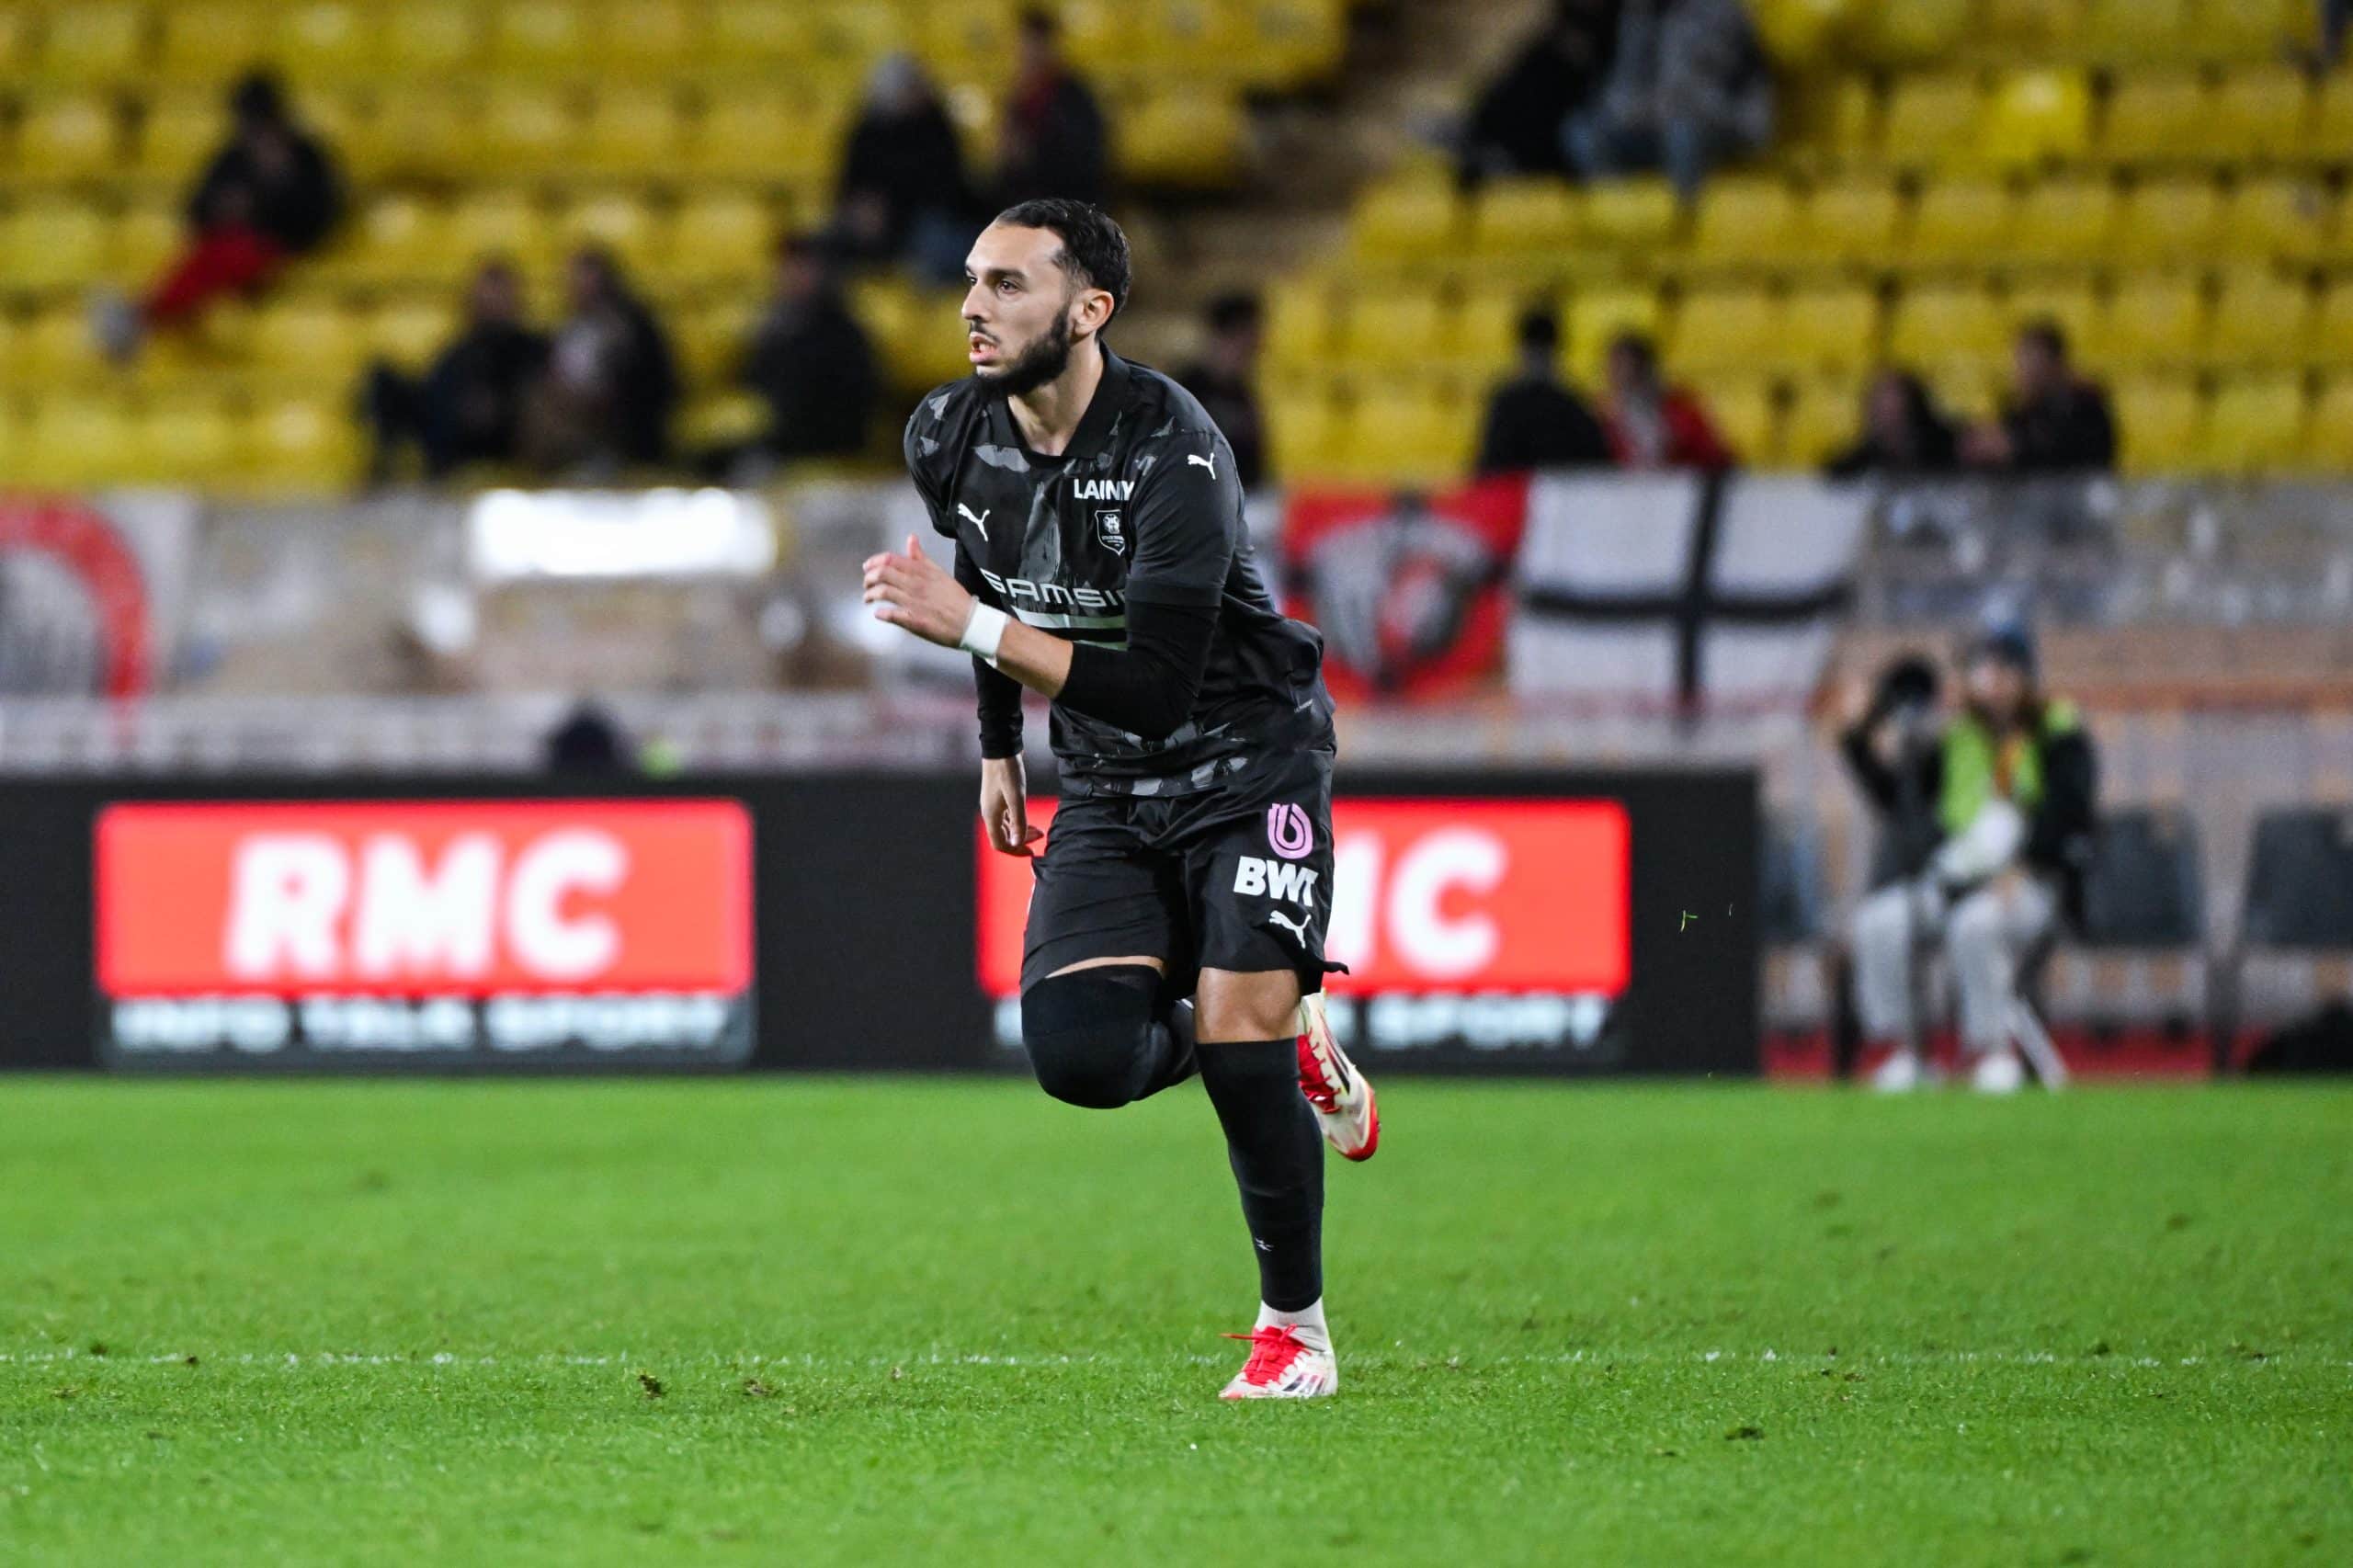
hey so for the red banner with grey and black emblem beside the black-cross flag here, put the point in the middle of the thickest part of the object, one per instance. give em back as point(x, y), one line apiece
point(1411, 592)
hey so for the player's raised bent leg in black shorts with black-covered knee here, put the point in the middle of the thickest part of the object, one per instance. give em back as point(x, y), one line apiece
point(1098, 1011)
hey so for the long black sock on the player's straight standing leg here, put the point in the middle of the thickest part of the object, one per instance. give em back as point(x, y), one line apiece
point(1277, 1162)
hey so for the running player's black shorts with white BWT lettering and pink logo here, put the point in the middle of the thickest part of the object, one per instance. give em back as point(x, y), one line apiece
point(1237, 877)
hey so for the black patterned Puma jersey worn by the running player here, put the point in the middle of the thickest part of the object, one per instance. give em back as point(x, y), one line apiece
point(1142, 505)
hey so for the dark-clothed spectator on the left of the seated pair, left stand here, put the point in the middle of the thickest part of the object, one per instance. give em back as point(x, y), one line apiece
point(469, 404)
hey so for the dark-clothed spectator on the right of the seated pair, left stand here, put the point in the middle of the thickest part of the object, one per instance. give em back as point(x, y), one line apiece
point(611, 385)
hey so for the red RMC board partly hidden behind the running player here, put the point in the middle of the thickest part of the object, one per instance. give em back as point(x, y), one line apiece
point(1429, 898)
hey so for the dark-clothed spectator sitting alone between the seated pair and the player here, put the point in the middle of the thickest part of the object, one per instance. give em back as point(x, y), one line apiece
point(811, 361)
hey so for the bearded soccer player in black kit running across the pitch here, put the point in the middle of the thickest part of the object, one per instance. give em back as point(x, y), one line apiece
point(1178, 917)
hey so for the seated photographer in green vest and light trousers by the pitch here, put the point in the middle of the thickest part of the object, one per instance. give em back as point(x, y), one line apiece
point(1994, 853)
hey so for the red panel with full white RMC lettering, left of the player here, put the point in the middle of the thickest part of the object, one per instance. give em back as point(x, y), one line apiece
point(401, 898)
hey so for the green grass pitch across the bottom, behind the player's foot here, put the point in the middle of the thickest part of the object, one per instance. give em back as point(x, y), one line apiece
point(954, 1322)
